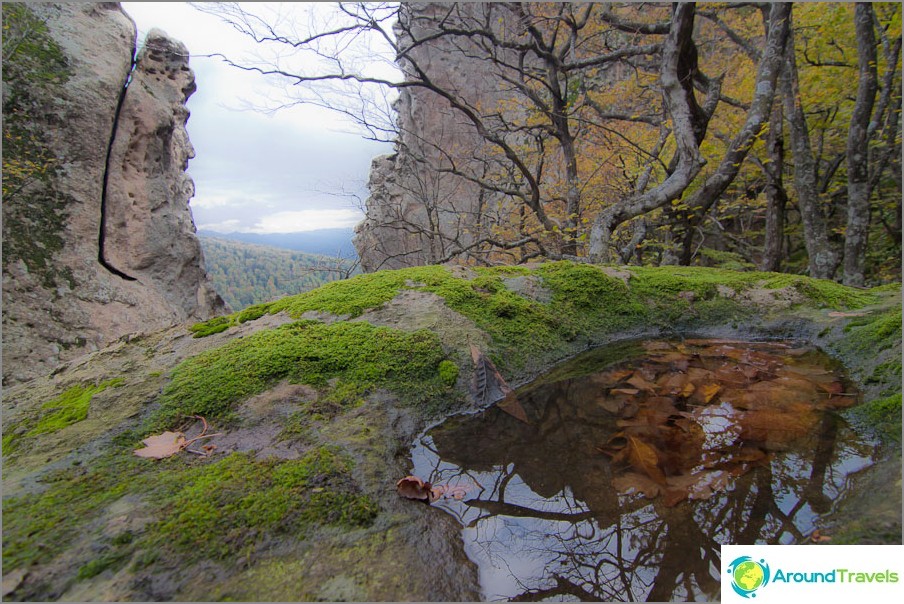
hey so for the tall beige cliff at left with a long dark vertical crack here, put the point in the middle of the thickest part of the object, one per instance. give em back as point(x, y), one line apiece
point(98, 237)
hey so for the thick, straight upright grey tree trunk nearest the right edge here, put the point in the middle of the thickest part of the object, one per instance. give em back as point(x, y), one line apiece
point(858, 149)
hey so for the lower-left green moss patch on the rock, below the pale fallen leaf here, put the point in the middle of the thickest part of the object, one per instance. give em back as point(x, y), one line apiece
point(227, 506)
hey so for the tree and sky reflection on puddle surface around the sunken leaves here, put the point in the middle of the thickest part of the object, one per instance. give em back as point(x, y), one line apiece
point(543, 520)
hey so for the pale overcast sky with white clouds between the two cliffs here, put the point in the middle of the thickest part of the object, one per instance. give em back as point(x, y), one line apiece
point(257, 172)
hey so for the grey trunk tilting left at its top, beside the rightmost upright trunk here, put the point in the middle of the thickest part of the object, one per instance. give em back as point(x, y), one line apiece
point(823, 258)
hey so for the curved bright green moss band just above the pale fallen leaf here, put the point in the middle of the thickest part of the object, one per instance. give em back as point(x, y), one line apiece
point(306, 352)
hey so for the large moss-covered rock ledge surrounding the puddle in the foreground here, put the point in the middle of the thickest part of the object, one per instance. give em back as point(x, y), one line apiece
point(318, 415)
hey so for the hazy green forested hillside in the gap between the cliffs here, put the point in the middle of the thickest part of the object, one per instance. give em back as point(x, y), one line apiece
point(245, 274)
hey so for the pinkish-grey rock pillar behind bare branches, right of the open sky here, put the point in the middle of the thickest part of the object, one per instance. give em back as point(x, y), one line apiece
point(419, 207)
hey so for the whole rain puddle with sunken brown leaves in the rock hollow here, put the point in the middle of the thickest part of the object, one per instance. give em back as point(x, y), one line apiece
point(626, 479)
